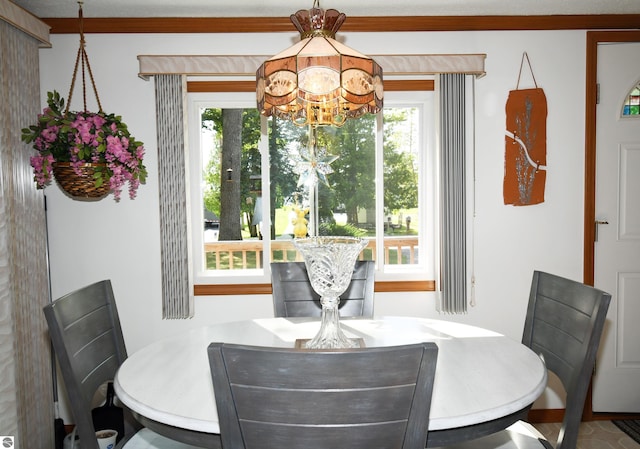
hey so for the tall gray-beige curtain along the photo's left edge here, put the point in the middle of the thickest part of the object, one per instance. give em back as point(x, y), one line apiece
point(26, 388)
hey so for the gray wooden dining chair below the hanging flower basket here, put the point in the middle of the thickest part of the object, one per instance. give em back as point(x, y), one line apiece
point(87, 338)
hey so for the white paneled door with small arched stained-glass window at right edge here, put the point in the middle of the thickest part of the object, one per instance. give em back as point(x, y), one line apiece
point(616, 384)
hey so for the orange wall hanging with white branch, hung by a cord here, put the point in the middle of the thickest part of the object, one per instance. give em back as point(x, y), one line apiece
point(525, 144)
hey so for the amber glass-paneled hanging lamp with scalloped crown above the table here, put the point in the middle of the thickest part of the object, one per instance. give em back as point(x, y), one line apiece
point(319, 81)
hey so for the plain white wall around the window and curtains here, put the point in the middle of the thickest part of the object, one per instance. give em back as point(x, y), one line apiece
point(90, 241)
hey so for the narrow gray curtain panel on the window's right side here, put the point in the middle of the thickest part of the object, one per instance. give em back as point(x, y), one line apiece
point(453, 175)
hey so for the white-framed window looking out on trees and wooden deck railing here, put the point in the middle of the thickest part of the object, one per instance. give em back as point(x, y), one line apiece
point(249, 193)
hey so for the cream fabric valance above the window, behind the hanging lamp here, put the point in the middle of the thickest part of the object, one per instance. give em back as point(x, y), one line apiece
point(246, 65)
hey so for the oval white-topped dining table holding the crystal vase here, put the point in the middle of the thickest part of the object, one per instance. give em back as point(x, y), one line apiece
point(484, 381)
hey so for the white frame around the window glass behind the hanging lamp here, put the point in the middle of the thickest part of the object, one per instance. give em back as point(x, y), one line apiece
point(427, 197)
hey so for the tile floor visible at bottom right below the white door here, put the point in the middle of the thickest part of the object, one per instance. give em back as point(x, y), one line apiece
point(593, 435)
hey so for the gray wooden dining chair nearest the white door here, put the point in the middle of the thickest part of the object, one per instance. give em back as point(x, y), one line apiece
point(564, 323)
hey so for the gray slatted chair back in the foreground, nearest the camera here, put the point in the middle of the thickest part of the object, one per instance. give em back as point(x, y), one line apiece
point(275, 398)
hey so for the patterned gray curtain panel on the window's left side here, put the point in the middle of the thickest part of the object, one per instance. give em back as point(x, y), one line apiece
point(177, 290)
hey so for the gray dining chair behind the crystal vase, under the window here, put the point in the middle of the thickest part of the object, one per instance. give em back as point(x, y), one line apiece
point(293, 295)
